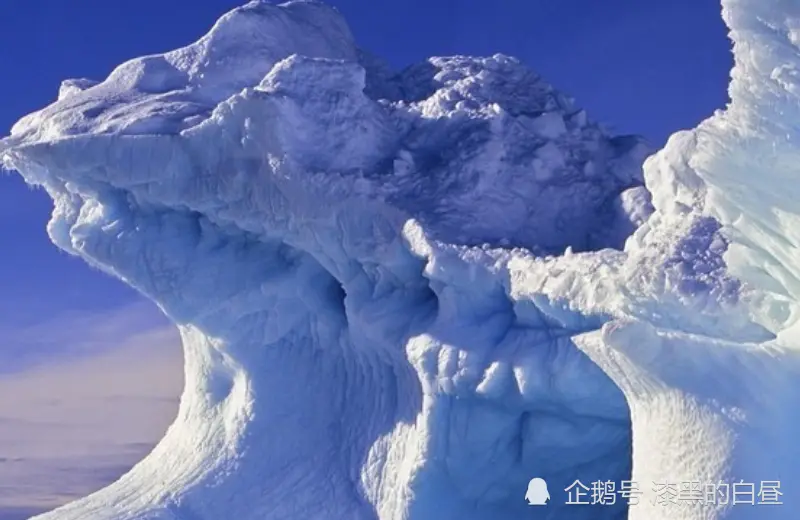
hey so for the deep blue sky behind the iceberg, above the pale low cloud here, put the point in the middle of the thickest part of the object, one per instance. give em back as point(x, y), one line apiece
point(640, 66)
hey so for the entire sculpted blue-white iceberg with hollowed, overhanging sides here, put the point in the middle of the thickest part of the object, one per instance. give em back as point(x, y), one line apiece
point(403, 296)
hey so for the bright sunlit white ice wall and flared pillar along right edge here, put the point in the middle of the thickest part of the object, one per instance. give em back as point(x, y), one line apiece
point(715, 402)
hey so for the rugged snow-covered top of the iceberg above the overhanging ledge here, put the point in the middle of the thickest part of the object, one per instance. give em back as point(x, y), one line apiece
point(479, 150)
